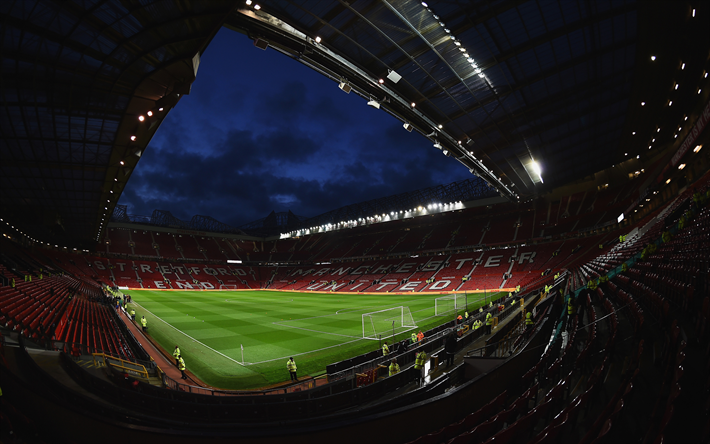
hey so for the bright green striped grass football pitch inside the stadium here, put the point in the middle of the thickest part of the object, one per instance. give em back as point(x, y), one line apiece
point(317, 329)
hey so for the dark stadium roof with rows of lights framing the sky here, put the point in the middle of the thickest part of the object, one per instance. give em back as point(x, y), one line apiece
point(576, 85)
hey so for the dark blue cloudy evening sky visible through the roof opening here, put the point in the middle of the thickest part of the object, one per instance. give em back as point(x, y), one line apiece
point(260, 132)
